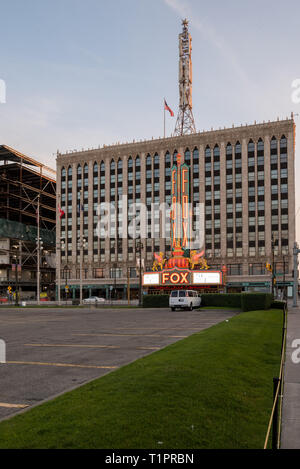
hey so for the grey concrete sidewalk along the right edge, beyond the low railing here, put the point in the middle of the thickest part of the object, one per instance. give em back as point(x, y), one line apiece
point(290, 433)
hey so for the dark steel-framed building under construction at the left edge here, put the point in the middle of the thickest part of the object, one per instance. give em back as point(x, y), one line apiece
point(27, 207)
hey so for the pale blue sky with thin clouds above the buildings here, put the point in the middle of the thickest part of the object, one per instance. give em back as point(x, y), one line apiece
point(79, 74)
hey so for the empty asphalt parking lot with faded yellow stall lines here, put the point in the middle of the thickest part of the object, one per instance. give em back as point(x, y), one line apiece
point(50, 351)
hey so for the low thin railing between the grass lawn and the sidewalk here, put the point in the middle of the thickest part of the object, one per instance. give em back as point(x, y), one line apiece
point(278, 382)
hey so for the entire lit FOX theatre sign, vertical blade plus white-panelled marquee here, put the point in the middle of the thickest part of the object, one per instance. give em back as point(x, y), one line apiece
point(186, 268)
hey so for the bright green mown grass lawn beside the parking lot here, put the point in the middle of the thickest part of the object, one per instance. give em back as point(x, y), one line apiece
point(211, 390)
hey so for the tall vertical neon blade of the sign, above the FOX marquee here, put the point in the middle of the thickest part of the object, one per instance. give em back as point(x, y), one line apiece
point(180, 216)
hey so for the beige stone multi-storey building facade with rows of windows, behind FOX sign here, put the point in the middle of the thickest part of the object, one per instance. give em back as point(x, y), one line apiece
point(251, 183)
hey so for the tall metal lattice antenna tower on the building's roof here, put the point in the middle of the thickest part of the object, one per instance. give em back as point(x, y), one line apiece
point(185, 121)
